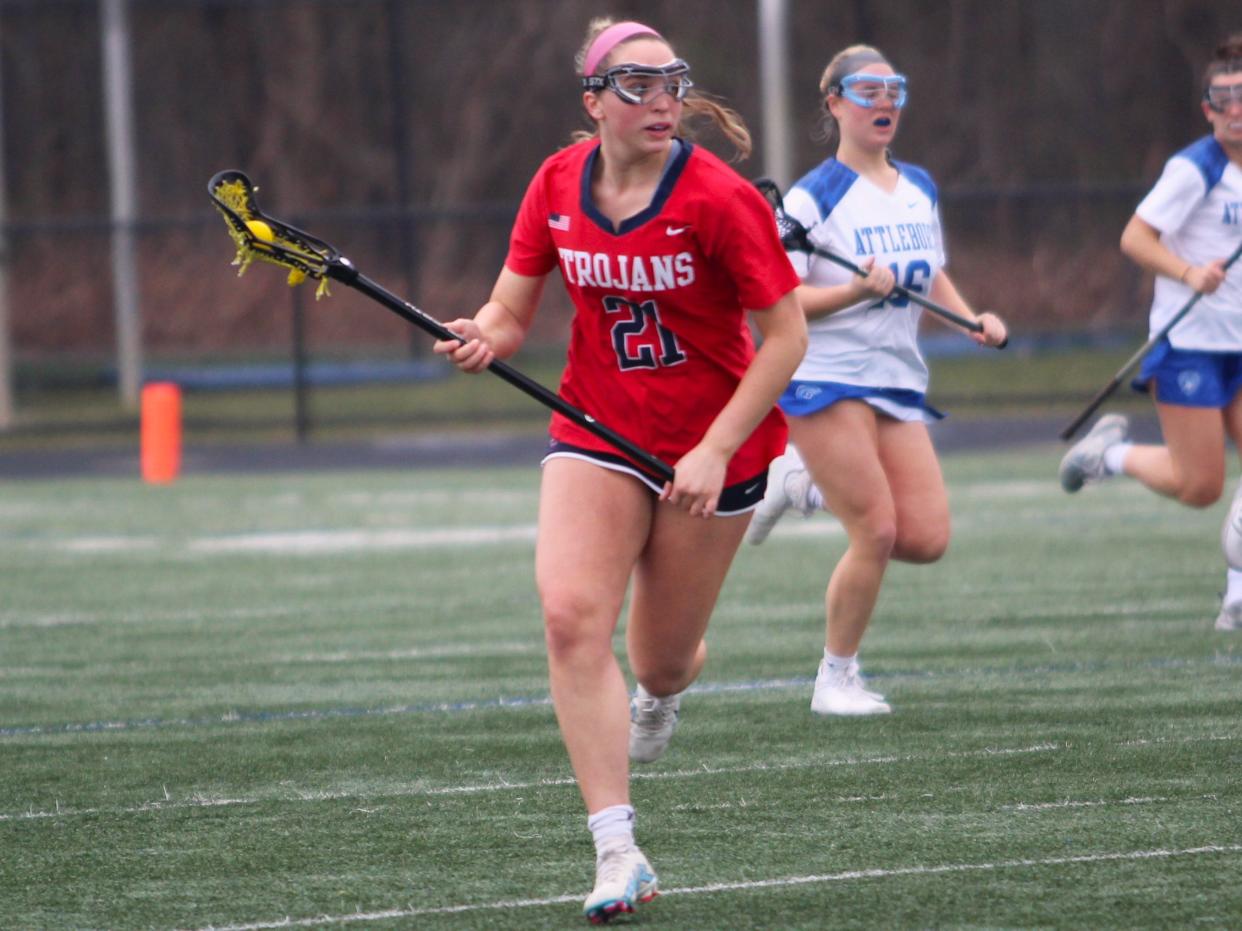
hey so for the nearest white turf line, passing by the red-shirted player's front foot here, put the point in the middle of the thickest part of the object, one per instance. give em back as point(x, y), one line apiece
point(745, 887)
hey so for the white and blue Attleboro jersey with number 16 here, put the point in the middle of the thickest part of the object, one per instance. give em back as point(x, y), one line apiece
point(874, 343)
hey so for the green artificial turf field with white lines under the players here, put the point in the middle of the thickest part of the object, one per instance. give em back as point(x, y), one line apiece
point(320, 701)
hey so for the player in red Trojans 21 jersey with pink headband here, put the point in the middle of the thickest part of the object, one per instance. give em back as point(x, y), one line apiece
point(664, 250)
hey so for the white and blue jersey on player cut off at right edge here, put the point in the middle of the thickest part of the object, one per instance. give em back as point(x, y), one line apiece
point(1197, 205)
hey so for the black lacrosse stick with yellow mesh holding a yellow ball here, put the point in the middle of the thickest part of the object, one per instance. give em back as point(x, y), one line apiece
point(263, 238)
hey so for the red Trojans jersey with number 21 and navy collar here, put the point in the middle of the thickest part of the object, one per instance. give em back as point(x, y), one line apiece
point(660, 338)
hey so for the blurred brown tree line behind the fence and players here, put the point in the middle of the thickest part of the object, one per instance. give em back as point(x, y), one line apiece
point(406, 132)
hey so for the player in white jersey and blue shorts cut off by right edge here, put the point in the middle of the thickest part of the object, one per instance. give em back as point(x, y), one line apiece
point(1182, 233)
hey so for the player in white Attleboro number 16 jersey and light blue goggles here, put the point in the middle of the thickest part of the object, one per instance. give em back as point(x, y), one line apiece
point(858, 408)
